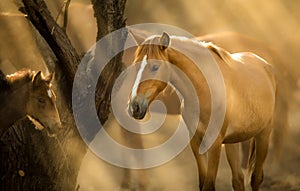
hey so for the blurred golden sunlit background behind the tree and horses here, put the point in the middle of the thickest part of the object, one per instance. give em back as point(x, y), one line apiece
point(275, 23)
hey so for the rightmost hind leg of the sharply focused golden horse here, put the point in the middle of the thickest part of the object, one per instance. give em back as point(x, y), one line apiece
point(261, 150)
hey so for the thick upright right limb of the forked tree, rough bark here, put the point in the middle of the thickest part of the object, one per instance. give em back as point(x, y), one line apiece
point(110, 17)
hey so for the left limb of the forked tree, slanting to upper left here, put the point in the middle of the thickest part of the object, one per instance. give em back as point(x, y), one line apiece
point(39, 15)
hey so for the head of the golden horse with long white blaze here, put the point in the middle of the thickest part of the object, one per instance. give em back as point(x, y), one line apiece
point(153, 74)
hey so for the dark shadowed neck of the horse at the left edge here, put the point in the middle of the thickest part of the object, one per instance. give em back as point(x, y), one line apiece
point(12, 107)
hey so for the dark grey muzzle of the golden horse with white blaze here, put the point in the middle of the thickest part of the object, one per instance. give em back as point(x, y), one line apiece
point(138, 107)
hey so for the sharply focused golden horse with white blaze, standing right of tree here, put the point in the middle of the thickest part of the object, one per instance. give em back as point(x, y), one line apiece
point(250, 98)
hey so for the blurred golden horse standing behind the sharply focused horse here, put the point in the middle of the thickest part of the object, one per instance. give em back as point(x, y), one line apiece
point(235, 42)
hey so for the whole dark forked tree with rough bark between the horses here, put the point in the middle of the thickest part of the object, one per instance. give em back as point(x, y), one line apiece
point(31, 159)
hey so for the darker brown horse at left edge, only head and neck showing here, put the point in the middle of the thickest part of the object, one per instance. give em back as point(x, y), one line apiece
point(27, 93)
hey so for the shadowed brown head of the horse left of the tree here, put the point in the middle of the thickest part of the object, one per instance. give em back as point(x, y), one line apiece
point(41, 103)
